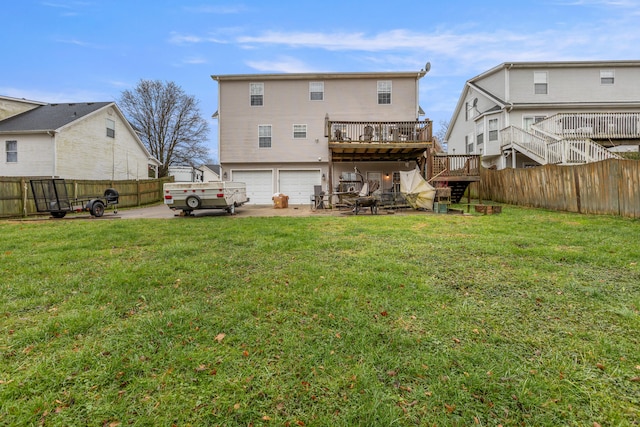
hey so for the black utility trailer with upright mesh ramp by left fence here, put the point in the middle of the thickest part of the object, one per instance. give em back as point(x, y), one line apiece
point(50, 195)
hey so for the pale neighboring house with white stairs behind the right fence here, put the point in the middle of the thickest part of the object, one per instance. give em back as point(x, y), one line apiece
point(523, 114)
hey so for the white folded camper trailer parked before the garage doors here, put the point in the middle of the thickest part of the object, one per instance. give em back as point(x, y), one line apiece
point(190, 196)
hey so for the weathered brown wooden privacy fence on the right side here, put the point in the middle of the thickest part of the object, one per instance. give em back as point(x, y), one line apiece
point(609, 187)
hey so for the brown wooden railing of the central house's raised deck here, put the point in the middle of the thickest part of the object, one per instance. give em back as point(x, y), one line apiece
point(380, 132)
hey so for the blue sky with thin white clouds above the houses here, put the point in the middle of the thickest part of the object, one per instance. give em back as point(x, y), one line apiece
point(92, 50)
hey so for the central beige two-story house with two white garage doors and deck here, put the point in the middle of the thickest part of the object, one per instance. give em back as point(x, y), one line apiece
point(290, 133)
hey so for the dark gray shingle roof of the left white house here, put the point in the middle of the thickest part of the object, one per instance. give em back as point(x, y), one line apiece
point(49, 117)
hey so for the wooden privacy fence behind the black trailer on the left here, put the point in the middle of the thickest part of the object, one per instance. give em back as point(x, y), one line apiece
point(16, 199)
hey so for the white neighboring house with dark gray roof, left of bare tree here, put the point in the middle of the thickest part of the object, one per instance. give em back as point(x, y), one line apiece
point(89, 140)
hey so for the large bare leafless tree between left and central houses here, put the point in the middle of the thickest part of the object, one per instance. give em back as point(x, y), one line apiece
point(168, 122)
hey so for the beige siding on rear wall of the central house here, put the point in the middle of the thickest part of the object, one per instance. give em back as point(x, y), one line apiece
point(286, 102)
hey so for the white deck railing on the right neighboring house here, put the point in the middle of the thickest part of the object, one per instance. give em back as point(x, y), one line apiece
point(591, 125)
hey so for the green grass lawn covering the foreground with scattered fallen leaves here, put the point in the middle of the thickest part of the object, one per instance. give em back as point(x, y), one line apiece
point(526, 318)
